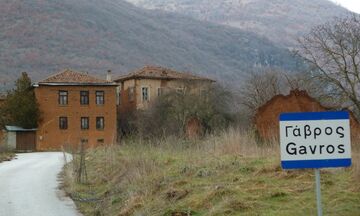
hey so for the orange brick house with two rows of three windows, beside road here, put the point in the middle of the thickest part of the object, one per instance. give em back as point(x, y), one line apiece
point(75, 107)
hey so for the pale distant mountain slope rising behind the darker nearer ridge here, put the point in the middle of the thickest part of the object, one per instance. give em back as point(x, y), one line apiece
point(281, 21)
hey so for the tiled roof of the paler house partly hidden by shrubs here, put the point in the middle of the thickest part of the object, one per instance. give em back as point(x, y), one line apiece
point(155, 72)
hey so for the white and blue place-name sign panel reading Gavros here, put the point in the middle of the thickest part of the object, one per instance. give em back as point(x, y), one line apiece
point(315, 140)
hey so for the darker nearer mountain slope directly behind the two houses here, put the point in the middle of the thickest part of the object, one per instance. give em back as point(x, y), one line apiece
point(43, 36)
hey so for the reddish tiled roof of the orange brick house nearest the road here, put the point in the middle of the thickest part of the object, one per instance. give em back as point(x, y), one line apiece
point(74, 78)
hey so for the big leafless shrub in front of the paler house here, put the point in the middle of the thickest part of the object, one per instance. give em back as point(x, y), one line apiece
point(169, 114)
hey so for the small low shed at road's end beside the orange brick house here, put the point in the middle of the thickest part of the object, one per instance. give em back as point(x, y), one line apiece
point(20, 139)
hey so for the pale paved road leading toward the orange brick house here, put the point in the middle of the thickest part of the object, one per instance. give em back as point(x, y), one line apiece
point(29, 186)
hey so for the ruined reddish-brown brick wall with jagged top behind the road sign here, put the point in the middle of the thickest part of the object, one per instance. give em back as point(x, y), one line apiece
point(266, 119)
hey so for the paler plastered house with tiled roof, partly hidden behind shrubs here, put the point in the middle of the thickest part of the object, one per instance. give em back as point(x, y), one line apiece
point(141, 87)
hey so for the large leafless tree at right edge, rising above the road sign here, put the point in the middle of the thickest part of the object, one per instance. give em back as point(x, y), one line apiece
point(333, 49)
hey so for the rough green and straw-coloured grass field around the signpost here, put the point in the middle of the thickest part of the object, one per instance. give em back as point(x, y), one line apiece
point(228, 174)
